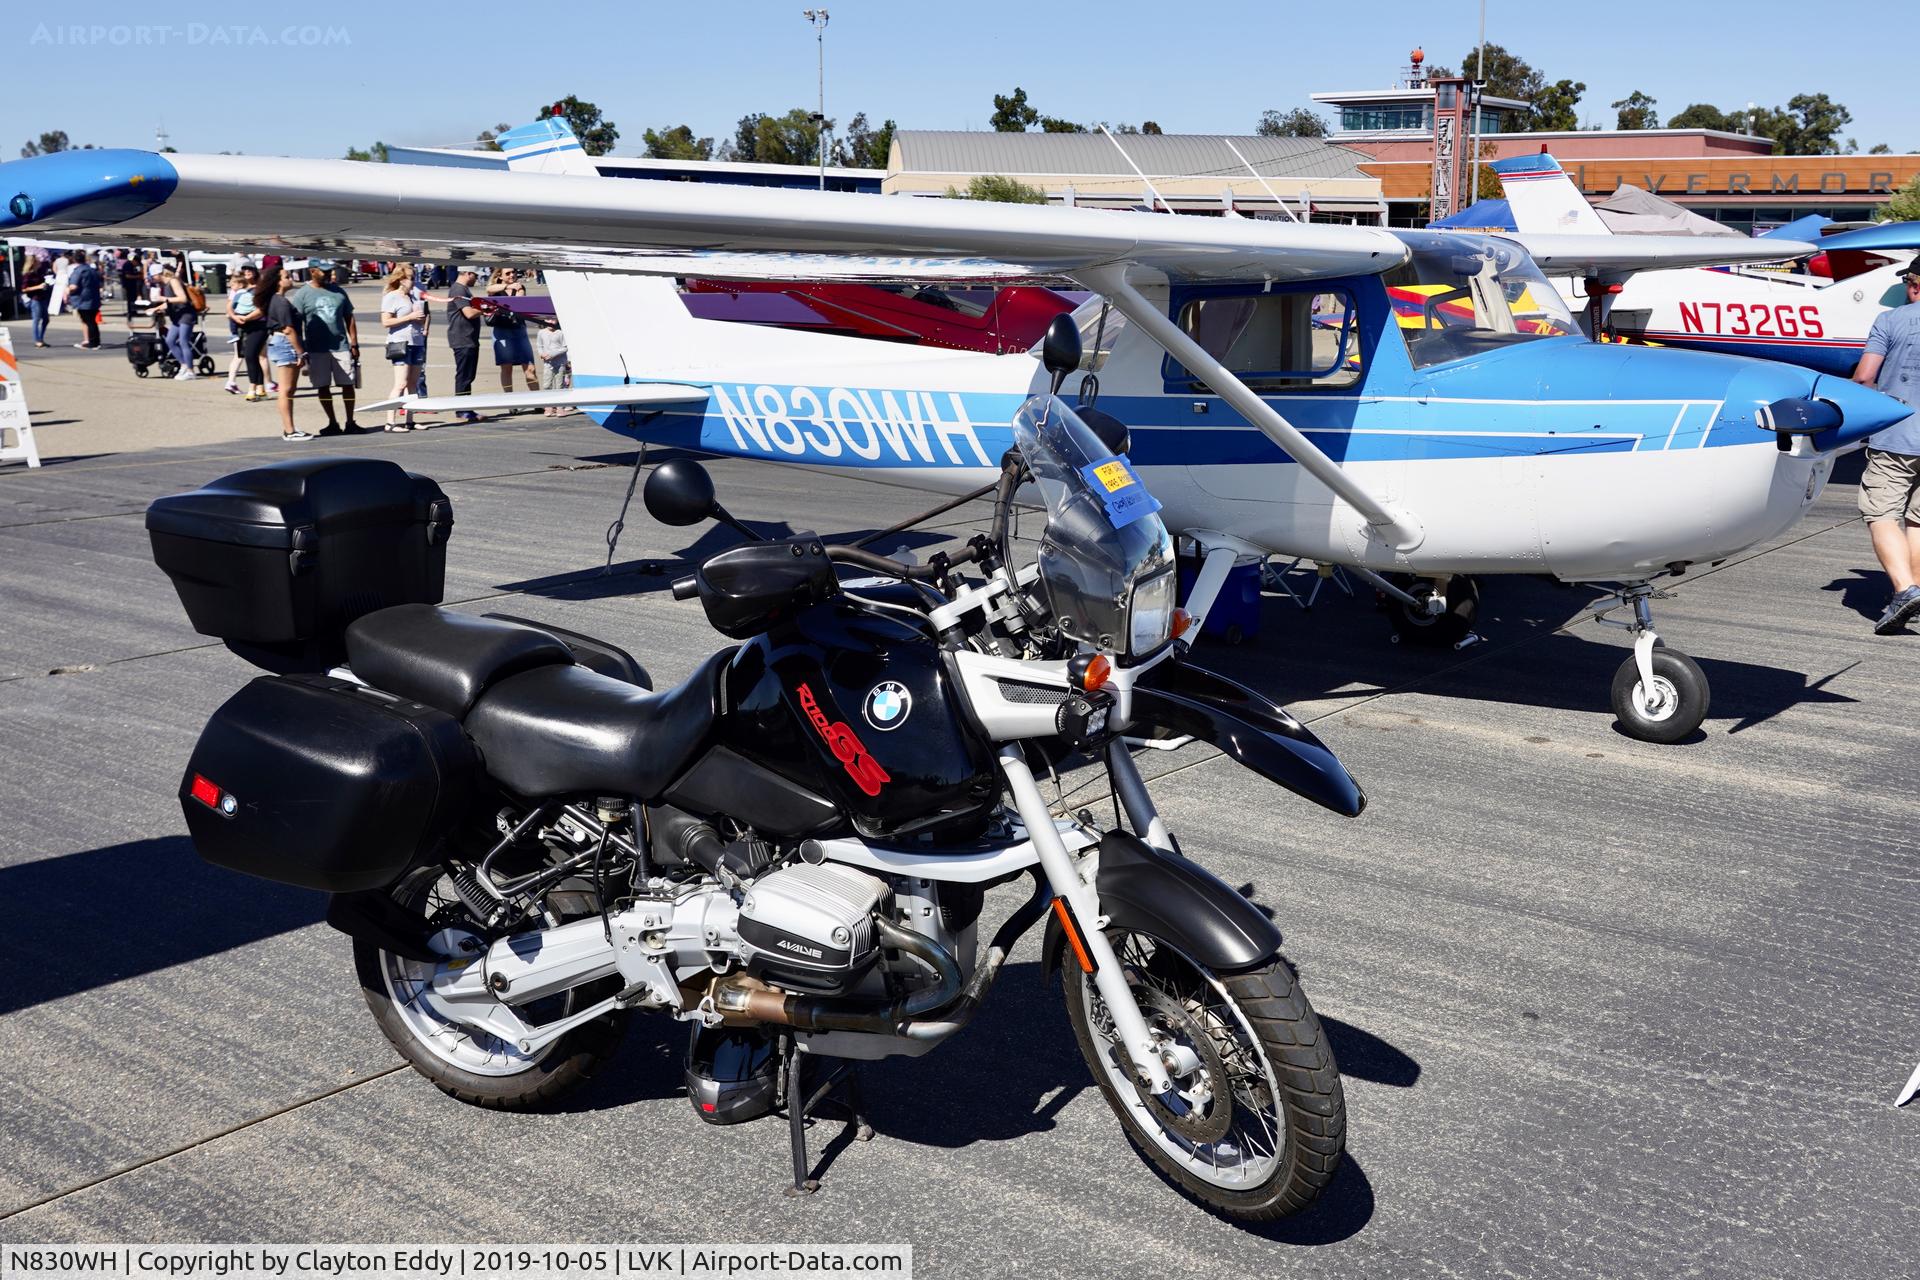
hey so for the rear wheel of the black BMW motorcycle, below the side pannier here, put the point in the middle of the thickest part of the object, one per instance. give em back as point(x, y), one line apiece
point(471, 1064)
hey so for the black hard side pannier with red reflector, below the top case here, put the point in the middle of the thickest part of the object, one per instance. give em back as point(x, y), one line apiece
point(325, 784)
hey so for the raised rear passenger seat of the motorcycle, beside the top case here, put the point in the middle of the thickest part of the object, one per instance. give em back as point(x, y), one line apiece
point(444, 659)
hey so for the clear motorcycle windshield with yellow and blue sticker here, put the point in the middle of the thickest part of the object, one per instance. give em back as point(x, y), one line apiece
point(1107, 559)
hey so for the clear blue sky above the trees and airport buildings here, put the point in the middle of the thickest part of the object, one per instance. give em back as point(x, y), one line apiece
point(312, 80)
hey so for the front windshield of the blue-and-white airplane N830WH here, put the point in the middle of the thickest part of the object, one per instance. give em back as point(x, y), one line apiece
point(1468, 295)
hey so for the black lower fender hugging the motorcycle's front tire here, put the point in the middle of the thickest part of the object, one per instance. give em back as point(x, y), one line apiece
point(1176, 901)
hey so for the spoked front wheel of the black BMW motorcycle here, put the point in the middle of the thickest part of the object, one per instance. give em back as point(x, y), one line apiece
point(1257, 1120)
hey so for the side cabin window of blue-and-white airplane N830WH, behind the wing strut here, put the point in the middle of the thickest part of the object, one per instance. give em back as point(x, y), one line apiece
point(1278, 343)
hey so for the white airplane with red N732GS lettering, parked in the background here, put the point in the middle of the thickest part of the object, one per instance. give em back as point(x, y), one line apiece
point(1773, 316)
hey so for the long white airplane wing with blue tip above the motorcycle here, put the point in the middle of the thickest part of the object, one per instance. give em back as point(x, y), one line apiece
point(339, 208)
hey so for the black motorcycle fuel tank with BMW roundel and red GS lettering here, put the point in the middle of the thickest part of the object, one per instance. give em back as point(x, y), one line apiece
point(861, 709)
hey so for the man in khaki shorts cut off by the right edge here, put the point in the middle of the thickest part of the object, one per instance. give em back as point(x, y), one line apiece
point(1890, 488)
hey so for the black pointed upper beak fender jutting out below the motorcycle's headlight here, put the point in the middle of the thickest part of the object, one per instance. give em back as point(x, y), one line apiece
point(1184, 701)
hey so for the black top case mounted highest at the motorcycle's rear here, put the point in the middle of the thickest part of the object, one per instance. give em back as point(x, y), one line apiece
point(277, 561)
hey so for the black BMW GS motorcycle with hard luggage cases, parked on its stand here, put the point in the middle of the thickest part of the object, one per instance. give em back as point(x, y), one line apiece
point(792, 849)
